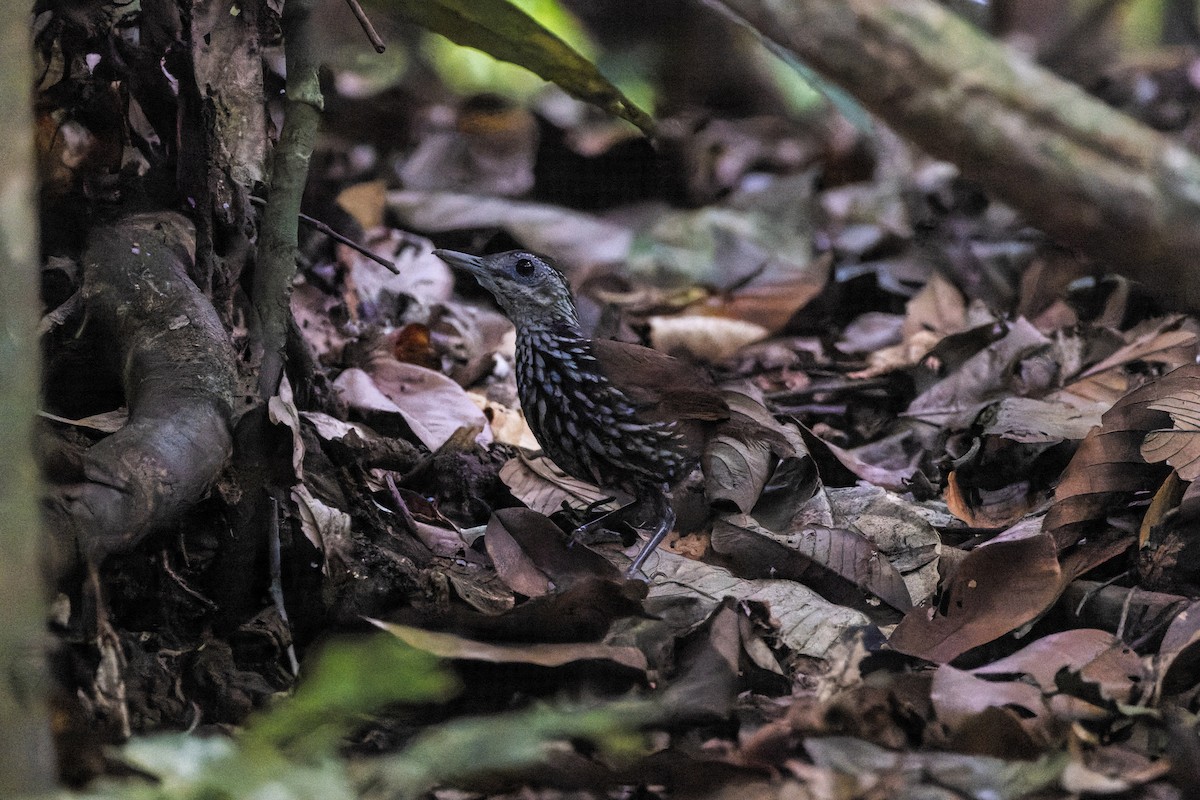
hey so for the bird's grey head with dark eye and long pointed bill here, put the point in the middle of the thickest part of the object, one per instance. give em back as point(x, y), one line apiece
point(530, 288)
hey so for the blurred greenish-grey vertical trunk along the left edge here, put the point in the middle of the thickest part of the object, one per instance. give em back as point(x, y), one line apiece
point(28, 761)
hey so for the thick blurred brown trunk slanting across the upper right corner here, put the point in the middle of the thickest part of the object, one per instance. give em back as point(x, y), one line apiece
point(1087, 175)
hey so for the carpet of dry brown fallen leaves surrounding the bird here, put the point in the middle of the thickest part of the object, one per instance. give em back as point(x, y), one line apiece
point(901, 587)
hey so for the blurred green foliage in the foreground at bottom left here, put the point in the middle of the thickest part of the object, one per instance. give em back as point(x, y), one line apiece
point(291, 753)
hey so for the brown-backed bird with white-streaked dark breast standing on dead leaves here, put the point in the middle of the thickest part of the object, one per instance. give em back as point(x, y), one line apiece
point(615, 414)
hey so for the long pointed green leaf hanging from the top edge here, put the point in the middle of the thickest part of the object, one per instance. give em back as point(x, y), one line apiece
point(505, 32)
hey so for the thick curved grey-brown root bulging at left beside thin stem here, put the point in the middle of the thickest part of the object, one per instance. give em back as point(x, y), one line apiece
point(177, 369)
